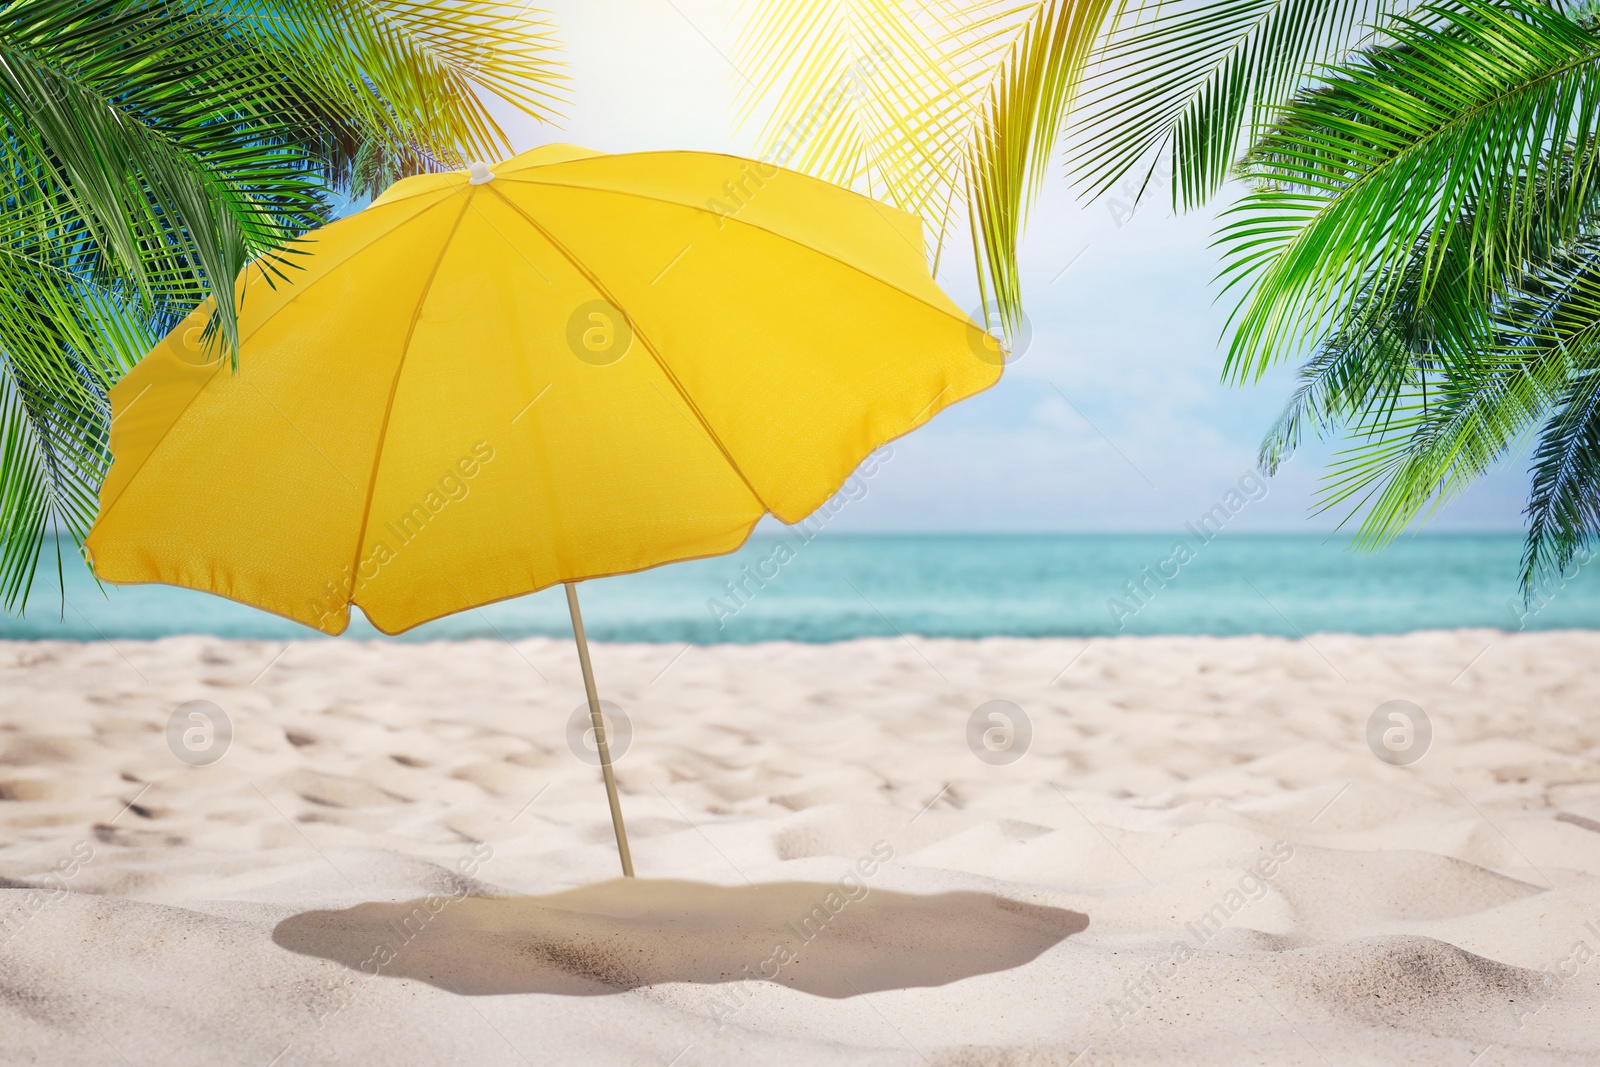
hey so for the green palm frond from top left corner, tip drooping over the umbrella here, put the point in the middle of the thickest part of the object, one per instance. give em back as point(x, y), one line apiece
point(172, 199)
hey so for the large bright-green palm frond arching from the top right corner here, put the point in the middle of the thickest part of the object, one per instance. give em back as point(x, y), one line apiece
point(1466, 114)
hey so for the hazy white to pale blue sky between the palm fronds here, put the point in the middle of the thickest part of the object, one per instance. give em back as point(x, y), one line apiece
point(1113, 420)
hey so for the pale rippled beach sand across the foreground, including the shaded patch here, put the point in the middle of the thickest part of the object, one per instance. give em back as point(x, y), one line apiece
point(399, 861)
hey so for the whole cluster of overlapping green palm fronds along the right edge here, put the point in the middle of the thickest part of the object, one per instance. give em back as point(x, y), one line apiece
point(1439, 239)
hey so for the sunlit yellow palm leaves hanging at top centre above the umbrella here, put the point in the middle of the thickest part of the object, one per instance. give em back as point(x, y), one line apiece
point(927, 106)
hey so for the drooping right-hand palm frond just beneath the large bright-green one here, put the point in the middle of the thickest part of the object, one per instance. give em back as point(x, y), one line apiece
point(1430, 402)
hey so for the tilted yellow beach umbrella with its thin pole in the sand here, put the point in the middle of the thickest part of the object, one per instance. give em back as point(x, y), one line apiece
point(553, 369)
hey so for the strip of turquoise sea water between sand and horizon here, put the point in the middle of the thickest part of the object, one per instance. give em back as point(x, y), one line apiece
point(842, 586)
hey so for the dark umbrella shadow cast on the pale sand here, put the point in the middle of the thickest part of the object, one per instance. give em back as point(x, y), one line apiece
point(825, 940)
